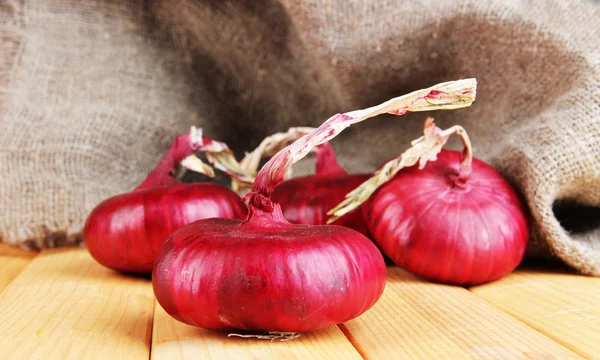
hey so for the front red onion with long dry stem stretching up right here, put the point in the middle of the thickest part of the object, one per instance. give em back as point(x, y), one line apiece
point(267, 274)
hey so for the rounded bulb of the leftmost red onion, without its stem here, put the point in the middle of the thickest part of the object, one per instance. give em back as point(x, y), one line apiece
point(125, 232)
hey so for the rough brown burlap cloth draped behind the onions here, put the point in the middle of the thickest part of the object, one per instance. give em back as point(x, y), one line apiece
point(93, 92)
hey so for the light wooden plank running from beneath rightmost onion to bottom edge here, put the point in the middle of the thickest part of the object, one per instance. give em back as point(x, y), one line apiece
point(416, 319)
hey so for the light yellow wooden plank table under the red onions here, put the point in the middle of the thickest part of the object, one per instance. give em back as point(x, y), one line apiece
point(61, 304)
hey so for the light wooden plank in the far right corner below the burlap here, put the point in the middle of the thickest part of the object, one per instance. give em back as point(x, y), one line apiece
point(562, 305)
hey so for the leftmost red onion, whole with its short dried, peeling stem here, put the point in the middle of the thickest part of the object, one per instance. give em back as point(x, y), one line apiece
point(125, 231)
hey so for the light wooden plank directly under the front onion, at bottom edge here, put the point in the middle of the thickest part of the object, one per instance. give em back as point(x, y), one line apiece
point(172, 339)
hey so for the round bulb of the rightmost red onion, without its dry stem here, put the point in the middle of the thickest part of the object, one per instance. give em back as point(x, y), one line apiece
point(432, 225)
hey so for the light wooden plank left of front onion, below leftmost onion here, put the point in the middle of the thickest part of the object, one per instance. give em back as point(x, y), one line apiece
point(64, 305)
